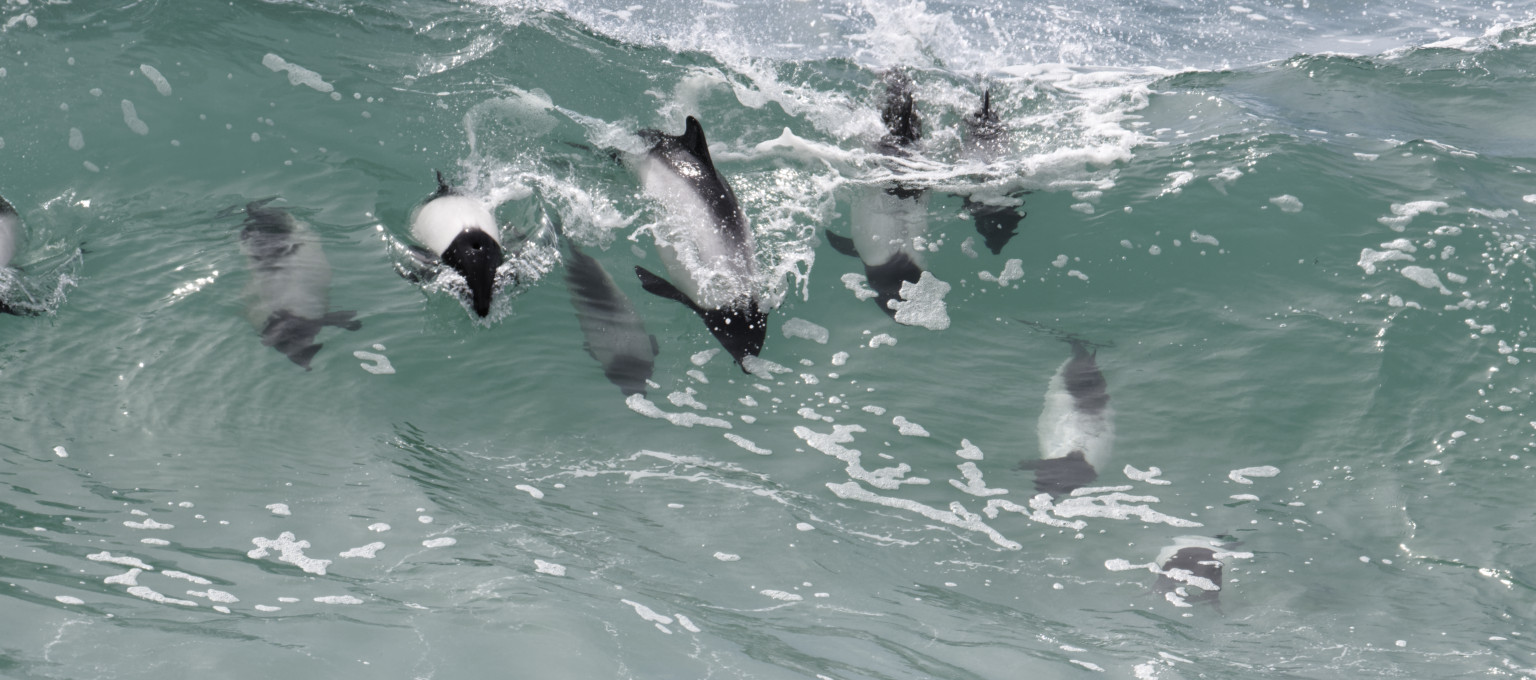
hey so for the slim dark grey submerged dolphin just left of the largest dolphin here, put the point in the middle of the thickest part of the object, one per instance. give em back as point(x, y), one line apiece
point(614, 331)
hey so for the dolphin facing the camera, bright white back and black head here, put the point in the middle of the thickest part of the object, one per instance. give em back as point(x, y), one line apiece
point(460, 233)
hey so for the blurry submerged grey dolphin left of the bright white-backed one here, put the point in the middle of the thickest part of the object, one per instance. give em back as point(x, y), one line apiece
point(290, 292)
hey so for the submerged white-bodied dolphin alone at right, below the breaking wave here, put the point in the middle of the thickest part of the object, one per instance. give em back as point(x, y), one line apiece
point(1078, 426)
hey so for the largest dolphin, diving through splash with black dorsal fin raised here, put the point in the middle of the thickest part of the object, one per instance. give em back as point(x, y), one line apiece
point(704, 242)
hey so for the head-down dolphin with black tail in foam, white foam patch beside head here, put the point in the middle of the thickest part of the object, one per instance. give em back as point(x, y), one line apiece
point(889, 220)
